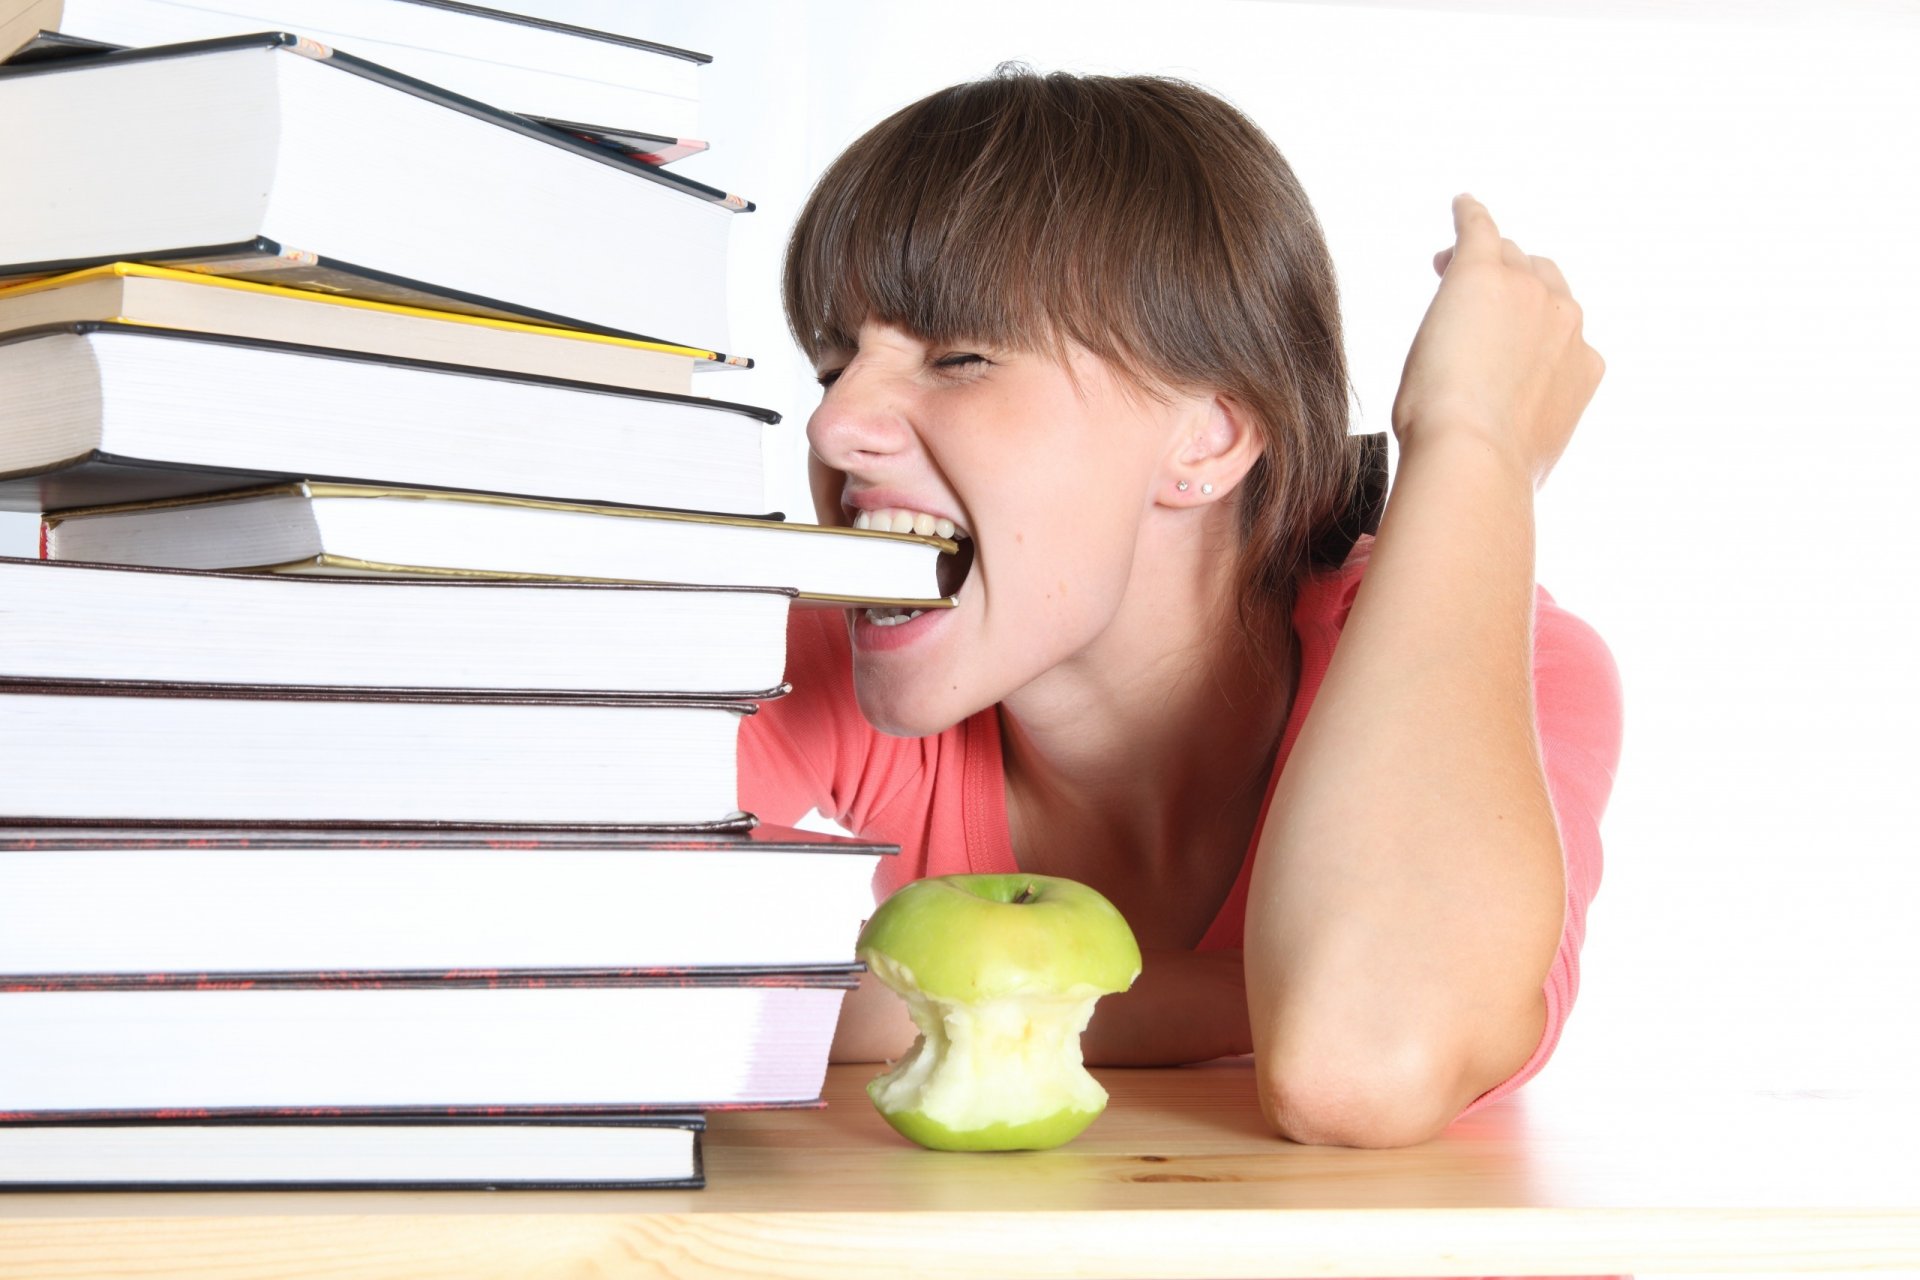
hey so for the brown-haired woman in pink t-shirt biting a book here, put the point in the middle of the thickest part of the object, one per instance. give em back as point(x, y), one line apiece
point(1345, 794)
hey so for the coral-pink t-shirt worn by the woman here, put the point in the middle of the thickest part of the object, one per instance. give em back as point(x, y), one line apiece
point(944, 797)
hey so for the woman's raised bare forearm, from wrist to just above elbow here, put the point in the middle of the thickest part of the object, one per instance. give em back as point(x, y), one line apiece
point(1408, 893)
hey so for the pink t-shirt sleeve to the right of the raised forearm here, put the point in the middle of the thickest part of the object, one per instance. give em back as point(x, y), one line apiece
point(1577, 709)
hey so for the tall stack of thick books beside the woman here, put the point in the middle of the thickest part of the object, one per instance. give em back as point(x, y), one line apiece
point(368, 728)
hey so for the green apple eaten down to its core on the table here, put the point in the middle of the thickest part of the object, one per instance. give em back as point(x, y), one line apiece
point(1001, 976)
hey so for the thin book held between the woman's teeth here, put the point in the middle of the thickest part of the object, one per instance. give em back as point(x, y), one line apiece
point(325, 529)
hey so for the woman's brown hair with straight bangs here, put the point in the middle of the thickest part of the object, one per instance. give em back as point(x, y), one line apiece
point(1140, 218)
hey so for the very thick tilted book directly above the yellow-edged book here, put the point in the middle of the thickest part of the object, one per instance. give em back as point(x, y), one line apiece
point(279, 160)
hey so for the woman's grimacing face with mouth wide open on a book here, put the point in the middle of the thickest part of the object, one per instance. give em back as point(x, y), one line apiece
point(1051, 471)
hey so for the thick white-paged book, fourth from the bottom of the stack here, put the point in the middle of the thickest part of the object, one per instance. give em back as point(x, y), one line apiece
point(224, 755)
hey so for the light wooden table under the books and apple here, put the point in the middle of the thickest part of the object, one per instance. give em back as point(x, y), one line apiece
point(1178, 1179)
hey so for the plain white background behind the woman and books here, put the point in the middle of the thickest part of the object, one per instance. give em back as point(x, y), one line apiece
point(1731, 189)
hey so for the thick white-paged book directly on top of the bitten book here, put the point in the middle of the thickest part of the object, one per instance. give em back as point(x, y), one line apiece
point(108, 414)
